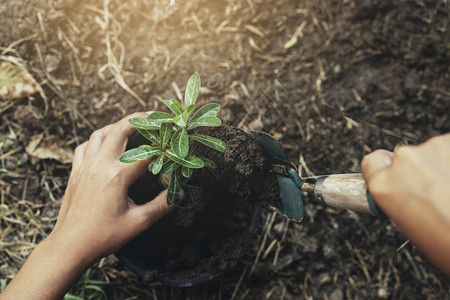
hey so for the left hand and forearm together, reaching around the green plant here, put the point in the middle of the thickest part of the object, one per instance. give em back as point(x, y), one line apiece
point(96, 217)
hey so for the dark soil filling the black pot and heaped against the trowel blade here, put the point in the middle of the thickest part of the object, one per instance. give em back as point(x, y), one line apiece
point(212, 227)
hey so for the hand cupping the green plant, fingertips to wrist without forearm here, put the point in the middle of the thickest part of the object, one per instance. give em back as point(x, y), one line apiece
point(96, 211)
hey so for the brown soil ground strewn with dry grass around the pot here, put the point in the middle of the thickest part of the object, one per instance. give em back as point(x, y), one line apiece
point(332, 80)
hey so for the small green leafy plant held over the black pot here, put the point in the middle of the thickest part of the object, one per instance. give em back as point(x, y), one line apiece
point(172, 143)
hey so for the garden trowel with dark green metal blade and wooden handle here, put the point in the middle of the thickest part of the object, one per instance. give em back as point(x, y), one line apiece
point(348, 191)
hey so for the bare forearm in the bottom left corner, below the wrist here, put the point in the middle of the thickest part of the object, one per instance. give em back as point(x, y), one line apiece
point(49, 272)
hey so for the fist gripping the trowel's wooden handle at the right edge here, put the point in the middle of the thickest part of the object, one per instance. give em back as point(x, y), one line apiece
point(412, 186)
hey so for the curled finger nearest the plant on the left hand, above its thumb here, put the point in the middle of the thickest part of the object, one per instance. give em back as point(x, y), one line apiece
point(116, 139)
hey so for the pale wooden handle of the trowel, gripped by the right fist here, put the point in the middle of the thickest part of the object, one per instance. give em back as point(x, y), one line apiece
point(348, 191)
